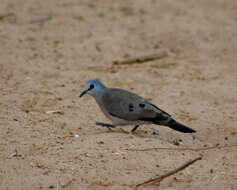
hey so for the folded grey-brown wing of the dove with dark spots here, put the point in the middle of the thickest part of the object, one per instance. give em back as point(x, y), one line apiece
point(129, 106)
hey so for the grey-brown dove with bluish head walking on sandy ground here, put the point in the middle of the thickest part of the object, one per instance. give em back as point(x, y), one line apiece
point(127, 108)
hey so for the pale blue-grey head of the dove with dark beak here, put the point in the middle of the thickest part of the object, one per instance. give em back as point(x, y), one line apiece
point(94, 88)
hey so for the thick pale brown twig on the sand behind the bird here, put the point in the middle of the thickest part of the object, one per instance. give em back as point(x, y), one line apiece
point(141, 59)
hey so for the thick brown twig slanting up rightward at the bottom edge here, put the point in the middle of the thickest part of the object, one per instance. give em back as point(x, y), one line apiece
point(157, 180)
